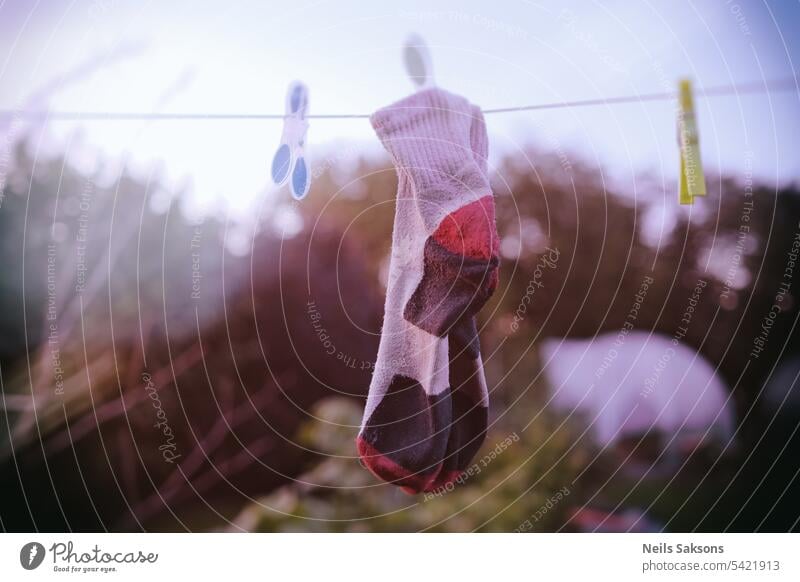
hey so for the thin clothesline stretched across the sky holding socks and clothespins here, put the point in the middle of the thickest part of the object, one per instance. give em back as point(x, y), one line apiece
point(761, 87)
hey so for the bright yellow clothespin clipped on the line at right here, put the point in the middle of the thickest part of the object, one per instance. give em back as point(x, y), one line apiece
point(692, 182)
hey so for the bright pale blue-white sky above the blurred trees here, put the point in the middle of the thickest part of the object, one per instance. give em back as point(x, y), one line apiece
point(238, 57)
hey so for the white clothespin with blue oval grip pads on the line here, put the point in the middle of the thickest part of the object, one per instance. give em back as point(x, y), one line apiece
point(290, 159)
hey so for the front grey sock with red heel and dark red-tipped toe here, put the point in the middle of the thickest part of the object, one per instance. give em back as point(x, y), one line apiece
point(440, 275)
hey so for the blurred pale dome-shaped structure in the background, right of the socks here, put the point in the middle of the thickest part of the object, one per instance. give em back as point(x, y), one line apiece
point(645, 381)
